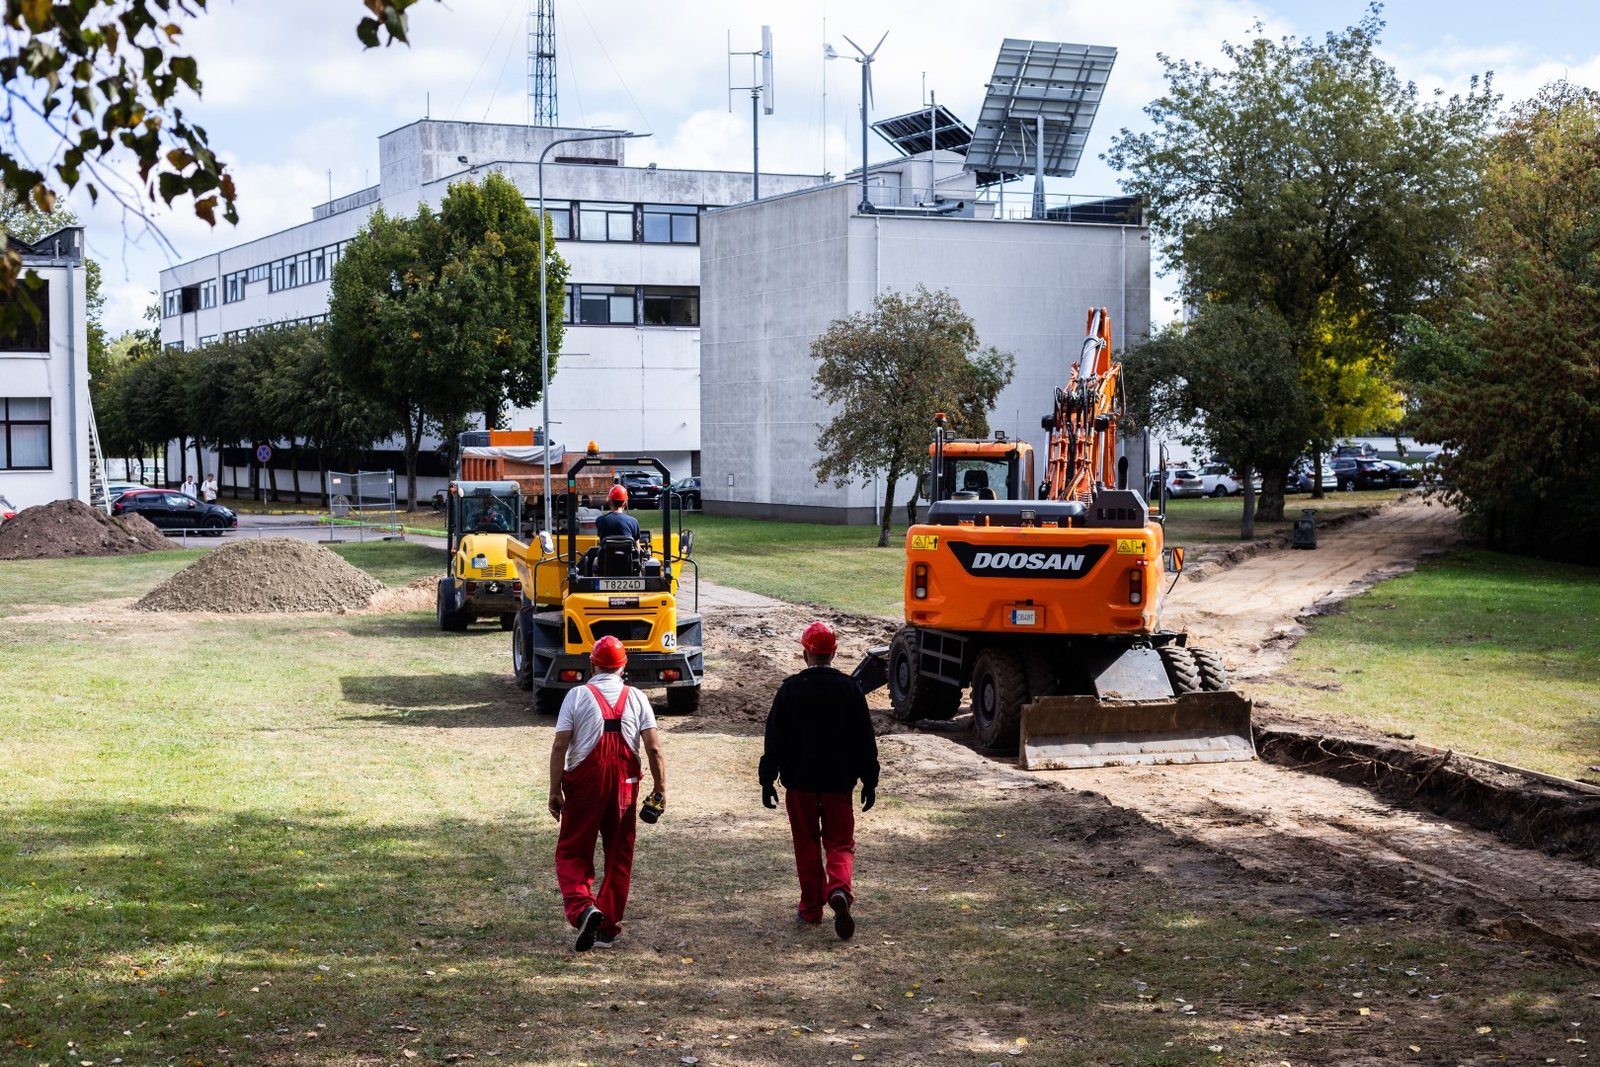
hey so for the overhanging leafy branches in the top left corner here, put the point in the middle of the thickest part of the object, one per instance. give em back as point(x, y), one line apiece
point(103, 81)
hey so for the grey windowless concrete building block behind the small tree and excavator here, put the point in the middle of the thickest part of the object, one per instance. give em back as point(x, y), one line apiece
point(778, 271)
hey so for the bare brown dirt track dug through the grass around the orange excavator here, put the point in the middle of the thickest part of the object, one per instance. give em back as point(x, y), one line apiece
point(1313, 842)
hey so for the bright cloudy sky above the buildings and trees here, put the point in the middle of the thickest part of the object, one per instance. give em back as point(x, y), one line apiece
point(295, 105)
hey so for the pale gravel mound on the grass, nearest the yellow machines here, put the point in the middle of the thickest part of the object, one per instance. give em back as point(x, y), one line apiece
point(266, 575)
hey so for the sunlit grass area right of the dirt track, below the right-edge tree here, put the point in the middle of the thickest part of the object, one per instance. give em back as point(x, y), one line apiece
point(1490, 655)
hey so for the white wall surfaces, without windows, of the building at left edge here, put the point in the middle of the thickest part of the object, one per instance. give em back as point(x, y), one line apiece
point(58, 374)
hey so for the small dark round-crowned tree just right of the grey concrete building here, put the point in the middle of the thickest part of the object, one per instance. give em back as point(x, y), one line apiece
point(1233, 380)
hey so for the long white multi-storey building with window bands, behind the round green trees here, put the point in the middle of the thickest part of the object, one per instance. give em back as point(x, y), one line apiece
point(628, 375)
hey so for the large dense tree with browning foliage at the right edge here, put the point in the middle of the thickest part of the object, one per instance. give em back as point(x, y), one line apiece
point(1511, 383)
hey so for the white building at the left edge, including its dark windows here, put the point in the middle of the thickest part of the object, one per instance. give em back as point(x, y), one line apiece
point(46, 382)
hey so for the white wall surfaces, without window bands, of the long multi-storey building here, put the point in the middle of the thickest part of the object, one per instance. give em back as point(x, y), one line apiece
point(626, 388)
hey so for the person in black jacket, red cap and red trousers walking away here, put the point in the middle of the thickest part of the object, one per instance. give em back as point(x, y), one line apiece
point(820, 743)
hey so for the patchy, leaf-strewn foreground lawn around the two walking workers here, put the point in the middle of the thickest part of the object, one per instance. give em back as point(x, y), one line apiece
point(322, 839)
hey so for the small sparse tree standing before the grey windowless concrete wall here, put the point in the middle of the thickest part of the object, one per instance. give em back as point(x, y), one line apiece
point(887, 374)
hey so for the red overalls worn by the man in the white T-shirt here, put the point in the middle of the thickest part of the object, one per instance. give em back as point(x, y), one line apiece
point(599, 796)
